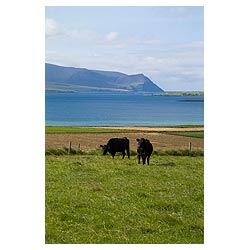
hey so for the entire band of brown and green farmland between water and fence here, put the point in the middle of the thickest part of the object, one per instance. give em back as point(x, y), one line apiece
point(90, 138)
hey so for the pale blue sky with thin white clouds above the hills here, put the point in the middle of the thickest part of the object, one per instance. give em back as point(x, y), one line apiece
point(164, 43)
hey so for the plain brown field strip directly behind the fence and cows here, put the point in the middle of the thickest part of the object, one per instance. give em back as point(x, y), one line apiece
point(89, 141)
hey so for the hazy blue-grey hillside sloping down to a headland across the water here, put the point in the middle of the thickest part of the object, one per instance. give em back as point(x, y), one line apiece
point(59, 78)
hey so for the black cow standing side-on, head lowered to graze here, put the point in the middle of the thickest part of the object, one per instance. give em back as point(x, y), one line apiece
point(116, 145)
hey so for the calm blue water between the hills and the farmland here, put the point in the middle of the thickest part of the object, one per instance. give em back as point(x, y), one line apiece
point(120, 109)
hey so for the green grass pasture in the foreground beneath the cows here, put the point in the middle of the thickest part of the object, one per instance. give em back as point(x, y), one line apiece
point(92, 198)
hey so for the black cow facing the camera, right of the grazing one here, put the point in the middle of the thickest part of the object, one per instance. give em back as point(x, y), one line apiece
point(144, 150)
